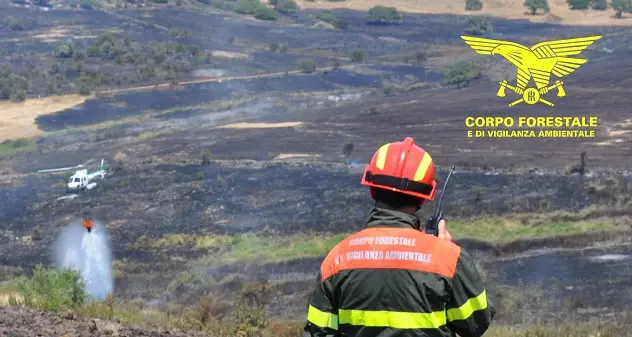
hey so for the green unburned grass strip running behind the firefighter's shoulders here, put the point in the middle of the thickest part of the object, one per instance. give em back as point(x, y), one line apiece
point(273, 247)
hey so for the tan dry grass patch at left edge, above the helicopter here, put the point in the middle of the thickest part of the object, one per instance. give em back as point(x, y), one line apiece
point(18, 119)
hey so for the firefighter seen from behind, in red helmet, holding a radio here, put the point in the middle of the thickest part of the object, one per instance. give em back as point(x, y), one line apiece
point(392, 279)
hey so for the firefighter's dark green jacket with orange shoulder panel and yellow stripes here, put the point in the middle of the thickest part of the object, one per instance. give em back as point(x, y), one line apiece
point(391, 279)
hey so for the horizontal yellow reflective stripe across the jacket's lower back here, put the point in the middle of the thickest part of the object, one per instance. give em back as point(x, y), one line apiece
point(398, 320)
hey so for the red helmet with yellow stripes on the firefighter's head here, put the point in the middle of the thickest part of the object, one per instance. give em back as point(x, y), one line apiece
point(402, 167)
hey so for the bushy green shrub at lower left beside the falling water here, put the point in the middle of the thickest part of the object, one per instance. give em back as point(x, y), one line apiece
point(53, 289)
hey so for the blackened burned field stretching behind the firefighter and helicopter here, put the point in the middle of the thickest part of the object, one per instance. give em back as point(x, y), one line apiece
point(273, 197)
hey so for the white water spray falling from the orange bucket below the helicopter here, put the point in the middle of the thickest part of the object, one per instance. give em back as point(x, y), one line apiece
point(86, 249)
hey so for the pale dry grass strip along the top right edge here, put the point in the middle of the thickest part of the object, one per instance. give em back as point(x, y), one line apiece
point(512, 9)
